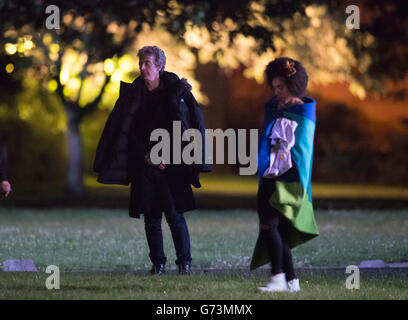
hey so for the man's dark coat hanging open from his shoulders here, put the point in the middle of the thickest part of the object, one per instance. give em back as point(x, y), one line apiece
point(112, 155)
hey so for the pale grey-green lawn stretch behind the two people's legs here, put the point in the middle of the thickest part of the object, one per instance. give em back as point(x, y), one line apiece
point(101, 240)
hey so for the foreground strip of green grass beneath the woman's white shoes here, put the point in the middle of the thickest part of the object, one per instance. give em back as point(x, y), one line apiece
point(197, 286)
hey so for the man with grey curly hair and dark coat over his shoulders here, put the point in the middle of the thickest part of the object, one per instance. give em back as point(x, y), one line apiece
point(154, 100)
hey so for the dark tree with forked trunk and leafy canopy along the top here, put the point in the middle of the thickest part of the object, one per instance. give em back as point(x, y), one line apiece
point(88, 31)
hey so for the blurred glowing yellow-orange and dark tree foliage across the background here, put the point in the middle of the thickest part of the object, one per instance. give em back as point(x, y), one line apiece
point(83, 62)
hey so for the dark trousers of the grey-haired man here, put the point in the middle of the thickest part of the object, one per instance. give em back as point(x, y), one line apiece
point(156, 199)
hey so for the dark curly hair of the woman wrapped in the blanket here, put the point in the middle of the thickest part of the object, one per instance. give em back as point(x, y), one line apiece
point(292, 73)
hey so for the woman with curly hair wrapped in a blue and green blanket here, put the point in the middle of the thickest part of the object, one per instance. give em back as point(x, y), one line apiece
point(285, 155)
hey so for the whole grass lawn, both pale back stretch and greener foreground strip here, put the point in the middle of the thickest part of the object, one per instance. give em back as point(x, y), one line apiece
point(97, 240)
